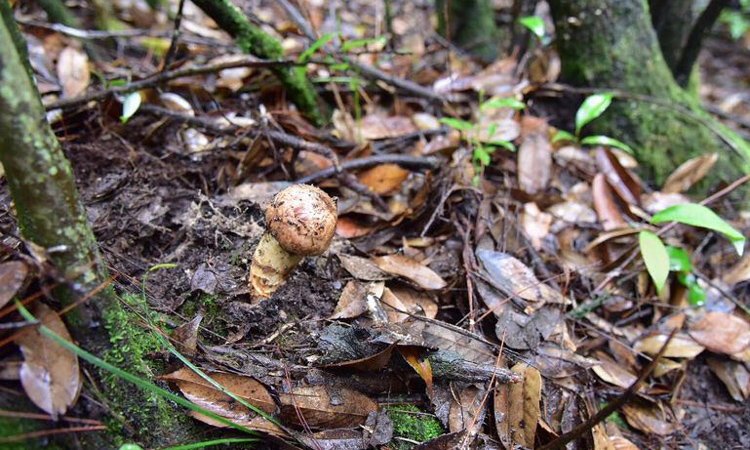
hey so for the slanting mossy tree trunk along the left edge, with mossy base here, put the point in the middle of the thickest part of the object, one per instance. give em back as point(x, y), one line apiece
point(51, 215)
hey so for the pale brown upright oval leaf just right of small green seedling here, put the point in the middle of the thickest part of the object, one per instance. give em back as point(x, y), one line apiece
point(534, 156)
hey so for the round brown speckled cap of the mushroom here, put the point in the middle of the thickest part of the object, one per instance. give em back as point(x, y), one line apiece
point(302, 218)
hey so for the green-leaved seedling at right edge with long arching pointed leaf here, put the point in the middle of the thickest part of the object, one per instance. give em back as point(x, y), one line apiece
point(660, 260)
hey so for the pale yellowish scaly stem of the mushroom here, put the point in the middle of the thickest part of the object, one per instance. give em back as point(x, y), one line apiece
point(271, 265)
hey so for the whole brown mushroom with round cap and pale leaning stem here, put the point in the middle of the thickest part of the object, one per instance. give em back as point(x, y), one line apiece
point(301, 221)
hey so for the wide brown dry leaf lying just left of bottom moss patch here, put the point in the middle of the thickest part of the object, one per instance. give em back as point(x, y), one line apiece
point(347, 409)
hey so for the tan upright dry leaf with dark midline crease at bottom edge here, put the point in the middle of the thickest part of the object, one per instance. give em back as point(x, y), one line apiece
point(524, 409)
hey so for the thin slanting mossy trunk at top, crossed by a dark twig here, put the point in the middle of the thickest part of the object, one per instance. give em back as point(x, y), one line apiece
point(254, 41)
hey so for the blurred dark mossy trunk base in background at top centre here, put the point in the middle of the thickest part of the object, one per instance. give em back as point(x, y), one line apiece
point(470, 24)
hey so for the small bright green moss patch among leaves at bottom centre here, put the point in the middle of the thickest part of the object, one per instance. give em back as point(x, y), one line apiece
point(412, 423)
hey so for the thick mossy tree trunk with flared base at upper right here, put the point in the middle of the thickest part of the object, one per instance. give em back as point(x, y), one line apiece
point(610, 44)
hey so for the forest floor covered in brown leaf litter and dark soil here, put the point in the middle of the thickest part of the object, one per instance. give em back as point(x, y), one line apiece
point(534, 252)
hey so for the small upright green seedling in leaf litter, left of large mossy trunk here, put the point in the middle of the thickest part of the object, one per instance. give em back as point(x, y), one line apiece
point(482, 150)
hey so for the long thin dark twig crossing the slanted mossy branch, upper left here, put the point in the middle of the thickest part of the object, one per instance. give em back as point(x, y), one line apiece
point(161, 77)
